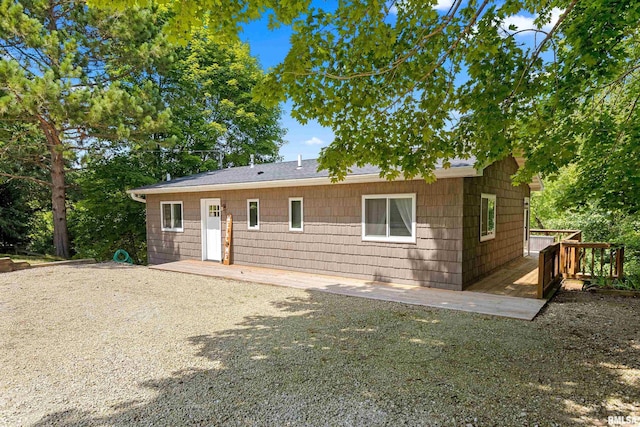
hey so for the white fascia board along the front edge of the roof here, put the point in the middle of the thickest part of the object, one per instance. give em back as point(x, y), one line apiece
point(458, 172)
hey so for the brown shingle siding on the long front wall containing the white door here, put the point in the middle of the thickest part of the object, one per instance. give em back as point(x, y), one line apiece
point(331, 242)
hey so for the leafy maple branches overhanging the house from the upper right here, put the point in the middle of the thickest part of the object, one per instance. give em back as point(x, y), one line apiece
point(404, 85)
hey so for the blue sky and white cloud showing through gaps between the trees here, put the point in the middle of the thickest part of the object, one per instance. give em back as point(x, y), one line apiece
point(271, 46)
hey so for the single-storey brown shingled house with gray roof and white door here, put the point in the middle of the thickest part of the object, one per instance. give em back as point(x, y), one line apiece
point(445, 234)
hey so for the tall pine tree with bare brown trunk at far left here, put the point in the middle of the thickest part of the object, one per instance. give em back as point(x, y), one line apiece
point(66, 80)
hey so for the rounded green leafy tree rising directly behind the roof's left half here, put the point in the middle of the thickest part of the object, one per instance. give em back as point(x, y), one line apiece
point(215, 117)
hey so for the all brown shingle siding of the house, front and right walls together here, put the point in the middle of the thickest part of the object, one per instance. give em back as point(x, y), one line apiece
point(447, 253)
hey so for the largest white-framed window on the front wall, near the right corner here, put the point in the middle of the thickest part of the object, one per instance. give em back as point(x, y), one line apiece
point(389, 218)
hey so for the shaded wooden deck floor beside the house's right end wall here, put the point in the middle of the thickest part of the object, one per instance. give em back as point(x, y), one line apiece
point(517, 279)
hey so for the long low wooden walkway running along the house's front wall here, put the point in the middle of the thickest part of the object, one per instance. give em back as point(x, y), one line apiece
point(475, 302)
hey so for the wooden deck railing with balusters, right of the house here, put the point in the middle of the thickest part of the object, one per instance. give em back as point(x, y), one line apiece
point(571, 258)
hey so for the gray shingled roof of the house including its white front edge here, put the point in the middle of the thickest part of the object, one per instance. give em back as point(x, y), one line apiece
point(286, 174)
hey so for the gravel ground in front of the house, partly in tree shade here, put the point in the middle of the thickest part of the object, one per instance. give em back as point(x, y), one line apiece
point(120, 345)
